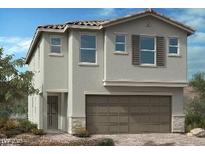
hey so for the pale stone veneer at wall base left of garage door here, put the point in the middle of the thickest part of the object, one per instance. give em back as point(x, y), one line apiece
point(75, 123)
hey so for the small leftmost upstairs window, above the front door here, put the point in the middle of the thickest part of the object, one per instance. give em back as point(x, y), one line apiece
point(55, 45)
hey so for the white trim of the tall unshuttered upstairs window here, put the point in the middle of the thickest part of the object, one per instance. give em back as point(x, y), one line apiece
point(88, 63)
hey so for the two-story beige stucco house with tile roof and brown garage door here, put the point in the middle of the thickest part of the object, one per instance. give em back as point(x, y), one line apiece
point(118, 76)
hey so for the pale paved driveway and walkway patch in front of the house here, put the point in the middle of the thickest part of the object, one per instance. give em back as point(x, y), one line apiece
point(165, 139)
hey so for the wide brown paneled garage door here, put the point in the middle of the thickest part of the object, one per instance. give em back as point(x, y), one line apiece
point(128, 114)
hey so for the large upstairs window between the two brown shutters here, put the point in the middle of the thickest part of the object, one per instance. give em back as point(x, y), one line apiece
point(147, 50)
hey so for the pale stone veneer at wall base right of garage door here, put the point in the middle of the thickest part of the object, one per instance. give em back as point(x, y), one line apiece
point(178, 122)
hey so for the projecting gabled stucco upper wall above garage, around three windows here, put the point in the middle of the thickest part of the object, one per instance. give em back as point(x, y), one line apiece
point(122, 64)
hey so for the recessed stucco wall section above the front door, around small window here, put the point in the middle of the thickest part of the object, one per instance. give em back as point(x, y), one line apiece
point(55, 66)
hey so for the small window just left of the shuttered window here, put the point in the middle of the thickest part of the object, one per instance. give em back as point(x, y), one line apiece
point(120, 43)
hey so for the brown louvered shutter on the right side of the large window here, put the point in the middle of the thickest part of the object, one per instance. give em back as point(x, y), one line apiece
point(160, 51)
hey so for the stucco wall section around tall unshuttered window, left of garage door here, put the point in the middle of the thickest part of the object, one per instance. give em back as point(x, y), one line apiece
point(85, 77)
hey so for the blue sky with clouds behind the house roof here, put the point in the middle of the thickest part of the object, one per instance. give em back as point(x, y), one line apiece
point(18, 26)
